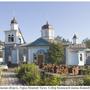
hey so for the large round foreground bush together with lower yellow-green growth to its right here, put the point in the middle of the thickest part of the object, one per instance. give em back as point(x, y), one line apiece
point(30, 75)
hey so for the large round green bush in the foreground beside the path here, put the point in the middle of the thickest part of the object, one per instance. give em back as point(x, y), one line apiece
point(29, 74)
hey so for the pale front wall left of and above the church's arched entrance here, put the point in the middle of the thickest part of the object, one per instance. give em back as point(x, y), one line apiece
point(32, 50)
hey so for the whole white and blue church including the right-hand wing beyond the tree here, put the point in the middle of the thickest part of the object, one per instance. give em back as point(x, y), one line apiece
point(16, 51)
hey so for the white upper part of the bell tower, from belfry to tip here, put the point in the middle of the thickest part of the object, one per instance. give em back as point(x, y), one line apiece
point(14, 35)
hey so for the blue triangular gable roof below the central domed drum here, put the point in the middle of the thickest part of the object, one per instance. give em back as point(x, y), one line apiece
point(39, 42)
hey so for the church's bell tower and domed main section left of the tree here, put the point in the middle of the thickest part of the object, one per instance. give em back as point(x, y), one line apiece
point(17, 51)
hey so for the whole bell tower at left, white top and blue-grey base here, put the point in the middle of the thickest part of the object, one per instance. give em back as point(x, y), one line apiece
point(13, 39)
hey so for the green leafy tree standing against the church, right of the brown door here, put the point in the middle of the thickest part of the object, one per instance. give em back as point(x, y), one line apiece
point(56, 53)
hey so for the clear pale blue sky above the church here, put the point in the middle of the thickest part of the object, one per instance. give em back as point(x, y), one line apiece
point(67, 18)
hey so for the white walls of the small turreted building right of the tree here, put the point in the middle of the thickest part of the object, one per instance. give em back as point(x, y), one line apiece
point(73, 57)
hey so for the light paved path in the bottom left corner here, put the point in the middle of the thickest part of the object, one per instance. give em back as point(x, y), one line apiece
point(9, 78)
